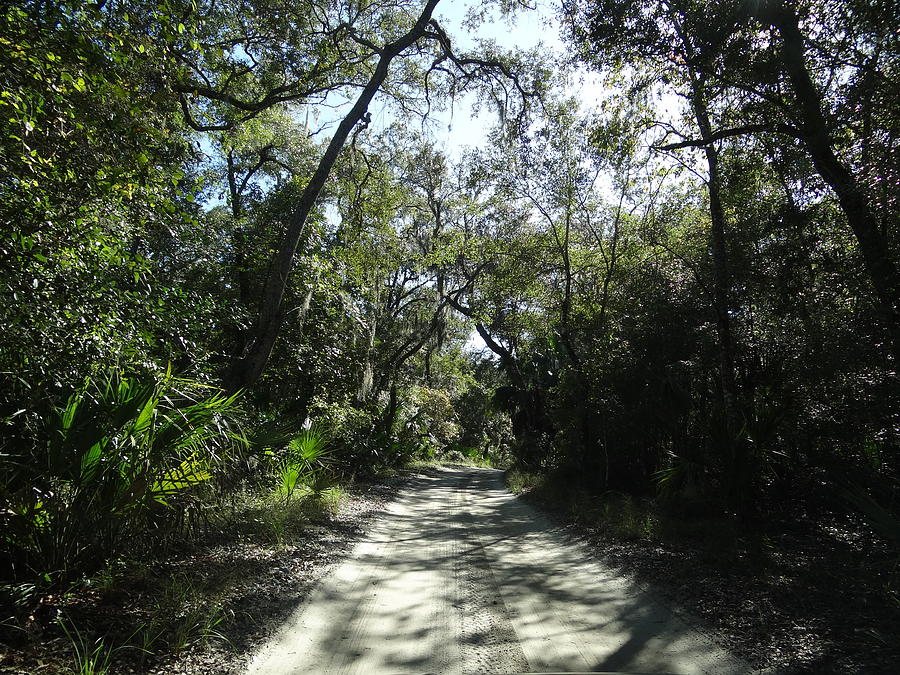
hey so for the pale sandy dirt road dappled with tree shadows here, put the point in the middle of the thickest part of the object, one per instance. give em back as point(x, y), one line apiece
point(461, 577)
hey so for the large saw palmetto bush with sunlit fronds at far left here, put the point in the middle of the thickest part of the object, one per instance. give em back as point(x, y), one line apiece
point(121, 462)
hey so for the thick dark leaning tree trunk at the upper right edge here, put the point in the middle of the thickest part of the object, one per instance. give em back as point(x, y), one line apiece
point(816, 138)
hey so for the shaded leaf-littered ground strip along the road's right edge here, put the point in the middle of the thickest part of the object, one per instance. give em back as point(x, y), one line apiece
point(803, 592)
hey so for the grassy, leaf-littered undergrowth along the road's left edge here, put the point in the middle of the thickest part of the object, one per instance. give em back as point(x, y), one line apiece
point(167, 607)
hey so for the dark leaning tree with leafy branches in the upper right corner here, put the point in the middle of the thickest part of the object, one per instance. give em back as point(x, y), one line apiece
point(758, 53)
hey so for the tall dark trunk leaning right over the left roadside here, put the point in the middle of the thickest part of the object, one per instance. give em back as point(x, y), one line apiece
point(246, 369)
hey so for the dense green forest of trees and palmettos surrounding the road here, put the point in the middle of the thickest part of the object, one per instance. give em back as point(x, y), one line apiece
point(239, 270)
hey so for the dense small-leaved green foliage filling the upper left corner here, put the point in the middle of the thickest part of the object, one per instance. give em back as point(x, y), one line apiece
point(94, 170)
